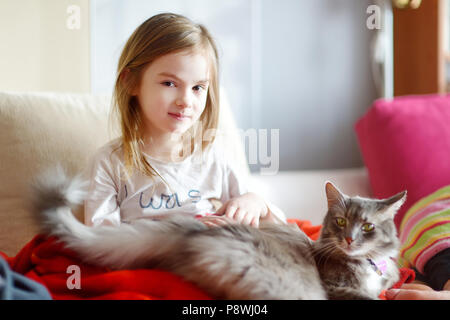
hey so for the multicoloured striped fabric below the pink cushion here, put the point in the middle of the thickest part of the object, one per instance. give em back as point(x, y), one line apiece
point(425, 230)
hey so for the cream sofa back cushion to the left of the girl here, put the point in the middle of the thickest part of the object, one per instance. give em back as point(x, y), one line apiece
point(38, 131)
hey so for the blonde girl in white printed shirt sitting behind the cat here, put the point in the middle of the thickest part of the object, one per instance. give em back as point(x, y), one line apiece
point(166, 98)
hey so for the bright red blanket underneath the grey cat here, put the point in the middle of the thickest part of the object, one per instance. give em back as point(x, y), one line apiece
point(47, 262)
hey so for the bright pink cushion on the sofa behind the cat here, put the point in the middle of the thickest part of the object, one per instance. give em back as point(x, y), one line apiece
point(405, 144)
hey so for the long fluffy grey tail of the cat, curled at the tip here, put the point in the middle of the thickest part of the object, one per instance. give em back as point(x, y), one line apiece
point(127, 246)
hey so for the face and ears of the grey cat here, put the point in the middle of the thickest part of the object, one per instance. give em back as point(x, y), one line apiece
point(360, 227)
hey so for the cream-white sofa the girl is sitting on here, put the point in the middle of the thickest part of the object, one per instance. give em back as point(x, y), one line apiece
point(39, 130)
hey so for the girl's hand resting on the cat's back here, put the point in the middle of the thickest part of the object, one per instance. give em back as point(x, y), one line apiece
point(246, 209)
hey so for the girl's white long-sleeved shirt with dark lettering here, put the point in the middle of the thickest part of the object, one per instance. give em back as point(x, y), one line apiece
point(114, 197)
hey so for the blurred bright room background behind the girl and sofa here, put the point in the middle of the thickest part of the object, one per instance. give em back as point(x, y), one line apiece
point(309, 68)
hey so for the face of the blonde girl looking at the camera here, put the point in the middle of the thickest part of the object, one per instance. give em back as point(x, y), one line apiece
point(172, 92)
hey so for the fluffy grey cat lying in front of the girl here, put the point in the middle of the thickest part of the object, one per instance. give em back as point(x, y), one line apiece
point(350, 260)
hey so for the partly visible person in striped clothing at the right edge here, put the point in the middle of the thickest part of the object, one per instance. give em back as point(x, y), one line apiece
point(424, 231)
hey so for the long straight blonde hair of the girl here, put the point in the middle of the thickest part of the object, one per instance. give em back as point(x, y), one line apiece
point(159, 35)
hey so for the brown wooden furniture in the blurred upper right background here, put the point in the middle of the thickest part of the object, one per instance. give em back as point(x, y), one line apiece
point(420, 53)
